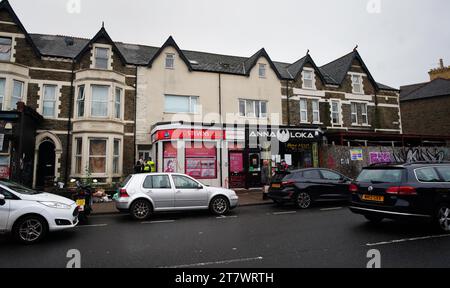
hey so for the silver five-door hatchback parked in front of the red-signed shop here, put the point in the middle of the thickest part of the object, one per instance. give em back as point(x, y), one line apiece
point(143, 194)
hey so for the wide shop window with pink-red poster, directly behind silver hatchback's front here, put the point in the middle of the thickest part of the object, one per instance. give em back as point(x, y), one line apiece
point(201, 160)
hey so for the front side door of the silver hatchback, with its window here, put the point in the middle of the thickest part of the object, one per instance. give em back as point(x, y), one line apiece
point(188, 194)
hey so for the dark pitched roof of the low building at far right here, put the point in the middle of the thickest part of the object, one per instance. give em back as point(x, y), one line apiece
point(436, 88)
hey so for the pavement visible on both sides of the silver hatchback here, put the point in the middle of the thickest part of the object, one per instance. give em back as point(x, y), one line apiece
point(246, 198)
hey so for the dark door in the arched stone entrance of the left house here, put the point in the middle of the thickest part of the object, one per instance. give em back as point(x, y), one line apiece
point(45, 175)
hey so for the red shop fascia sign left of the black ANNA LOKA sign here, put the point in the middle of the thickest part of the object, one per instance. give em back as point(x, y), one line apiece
point(189, 134)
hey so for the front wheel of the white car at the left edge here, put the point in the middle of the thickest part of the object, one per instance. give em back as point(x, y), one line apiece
point(30, 229)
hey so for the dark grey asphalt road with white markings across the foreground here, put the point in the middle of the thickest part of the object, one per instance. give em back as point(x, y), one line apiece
point(264, 236)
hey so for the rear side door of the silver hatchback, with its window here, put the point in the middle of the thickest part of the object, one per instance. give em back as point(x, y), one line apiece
point(159, 189)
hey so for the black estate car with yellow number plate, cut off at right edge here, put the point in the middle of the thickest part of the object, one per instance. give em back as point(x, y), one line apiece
point(414, 190)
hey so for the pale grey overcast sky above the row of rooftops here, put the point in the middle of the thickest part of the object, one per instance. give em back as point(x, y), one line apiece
point(399, 40)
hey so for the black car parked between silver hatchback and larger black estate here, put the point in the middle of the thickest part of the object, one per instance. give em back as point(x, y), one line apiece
point(305, 186)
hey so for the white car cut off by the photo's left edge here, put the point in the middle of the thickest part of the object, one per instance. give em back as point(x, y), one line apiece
point(29, 214)
